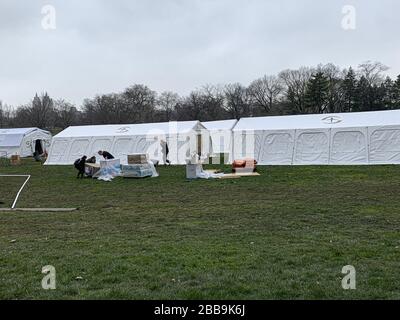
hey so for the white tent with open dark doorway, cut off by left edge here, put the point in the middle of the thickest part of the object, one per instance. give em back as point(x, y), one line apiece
point(23, 141)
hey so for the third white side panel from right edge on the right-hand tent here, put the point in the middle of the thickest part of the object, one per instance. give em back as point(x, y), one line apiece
point(312, 147)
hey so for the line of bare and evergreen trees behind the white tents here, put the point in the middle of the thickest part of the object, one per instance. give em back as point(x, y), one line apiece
point(321, 89)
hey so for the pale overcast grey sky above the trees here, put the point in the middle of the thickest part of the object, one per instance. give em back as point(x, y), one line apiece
point(103, 46)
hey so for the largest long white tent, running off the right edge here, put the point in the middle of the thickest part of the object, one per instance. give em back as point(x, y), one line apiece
point(323, 139)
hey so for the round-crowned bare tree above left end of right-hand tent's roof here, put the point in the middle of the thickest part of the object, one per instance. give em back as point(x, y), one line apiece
point(265, 92)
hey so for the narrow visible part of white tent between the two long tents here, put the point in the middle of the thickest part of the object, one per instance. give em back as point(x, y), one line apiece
point(221, 137)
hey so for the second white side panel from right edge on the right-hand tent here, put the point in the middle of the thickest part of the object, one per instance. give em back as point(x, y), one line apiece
point(349, 146)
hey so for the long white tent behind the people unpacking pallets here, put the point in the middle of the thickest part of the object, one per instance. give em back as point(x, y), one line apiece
point(183, 138)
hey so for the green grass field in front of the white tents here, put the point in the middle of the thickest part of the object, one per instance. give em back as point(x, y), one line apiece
point(284, 235)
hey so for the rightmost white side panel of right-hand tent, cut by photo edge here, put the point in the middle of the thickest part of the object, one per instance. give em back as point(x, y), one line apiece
point(384, 145)
